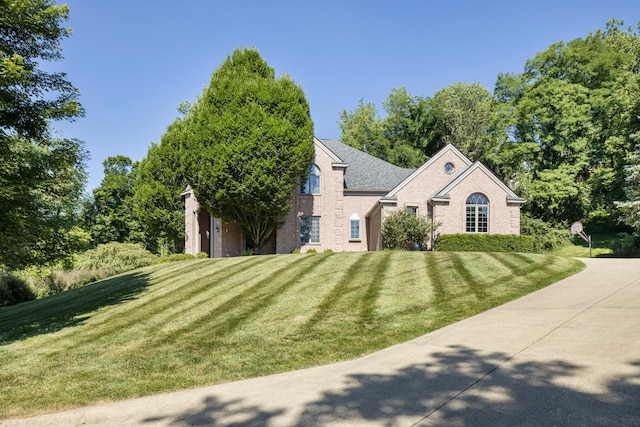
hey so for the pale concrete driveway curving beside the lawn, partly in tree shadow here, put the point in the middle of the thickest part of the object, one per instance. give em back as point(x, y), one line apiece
point(566, 355)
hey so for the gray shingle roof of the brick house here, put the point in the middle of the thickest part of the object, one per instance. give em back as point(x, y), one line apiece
point(365, 172)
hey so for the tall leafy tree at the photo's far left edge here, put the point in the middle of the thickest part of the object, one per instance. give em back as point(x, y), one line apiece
point(41, 177)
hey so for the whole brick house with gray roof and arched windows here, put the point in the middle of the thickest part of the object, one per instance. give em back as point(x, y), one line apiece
point(346, 197)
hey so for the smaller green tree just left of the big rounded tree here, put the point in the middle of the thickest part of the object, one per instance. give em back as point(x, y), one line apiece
point(157, 202)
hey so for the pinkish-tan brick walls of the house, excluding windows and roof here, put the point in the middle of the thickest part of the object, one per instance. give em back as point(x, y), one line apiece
point(439, 189)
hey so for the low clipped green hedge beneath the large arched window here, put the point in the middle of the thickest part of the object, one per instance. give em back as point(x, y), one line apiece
point(484, 243)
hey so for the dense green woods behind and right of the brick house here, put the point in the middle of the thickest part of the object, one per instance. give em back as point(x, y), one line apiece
point(564, 133)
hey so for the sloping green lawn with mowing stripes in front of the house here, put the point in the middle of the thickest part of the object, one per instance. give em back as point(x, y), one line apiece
point(178, 325)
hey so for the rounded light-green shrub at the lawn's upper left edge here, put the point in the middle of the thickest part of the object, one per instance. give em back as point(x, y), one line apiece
point(115, 258)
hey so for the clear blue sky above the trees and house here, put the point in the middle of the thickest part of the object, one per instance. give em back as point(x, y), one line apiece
point(134, 62)
